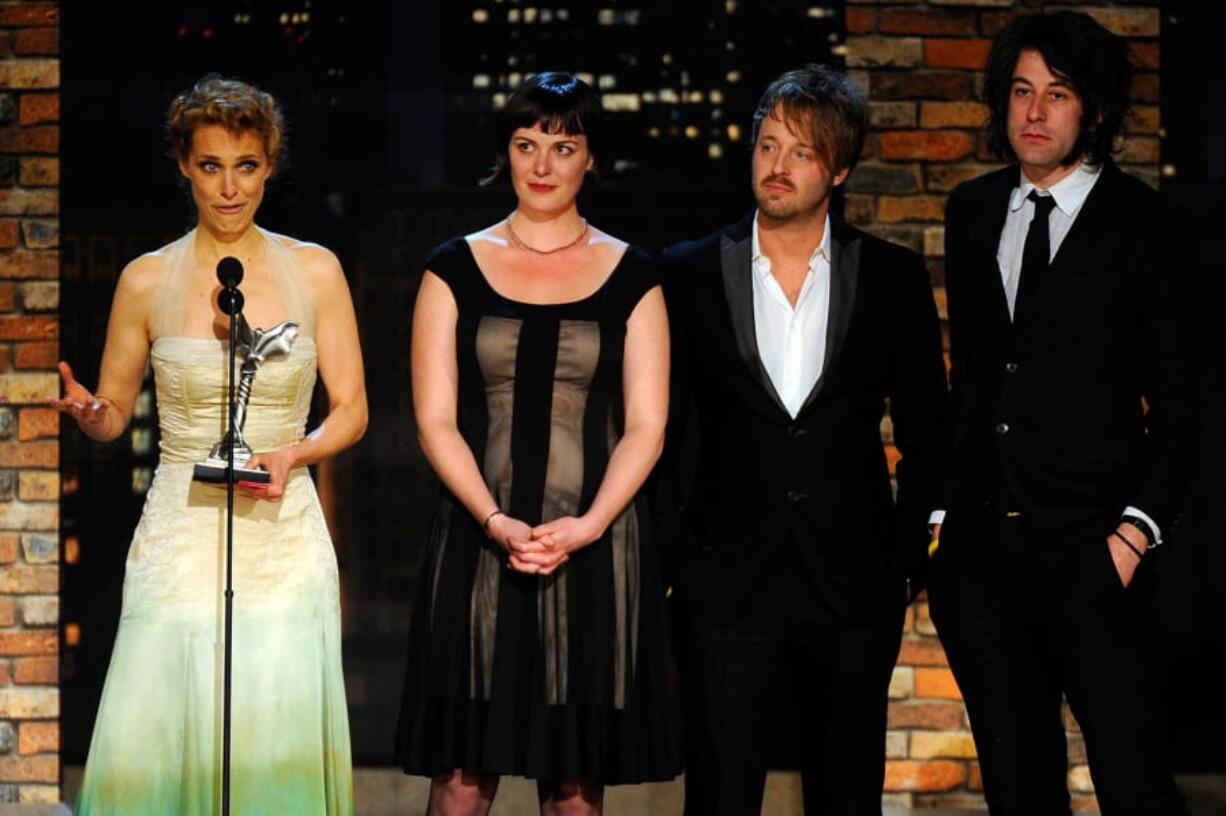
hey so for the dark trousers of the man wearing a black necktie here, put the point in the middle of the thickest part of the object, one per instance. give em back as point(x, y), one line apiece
point(1023, 624)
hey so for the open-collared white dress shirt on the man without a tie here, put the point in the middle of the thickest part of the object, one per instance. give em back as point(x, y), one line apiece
point(793, 340)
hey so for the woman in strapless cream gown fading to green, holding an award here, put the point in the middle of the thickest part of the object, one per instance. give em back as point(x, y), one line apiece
point(158, 741)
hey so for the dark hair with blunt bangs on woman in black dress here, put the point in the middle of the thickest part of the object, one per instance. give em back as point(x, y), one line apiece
point(560, 104)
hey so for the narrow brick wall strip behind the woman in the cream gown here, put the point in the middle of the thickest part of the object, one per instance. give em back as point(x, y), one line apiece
point(30, 482)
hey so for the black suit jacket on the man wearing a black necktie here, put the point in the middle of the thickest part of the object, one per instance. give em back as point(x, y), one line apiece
point(1048, 410)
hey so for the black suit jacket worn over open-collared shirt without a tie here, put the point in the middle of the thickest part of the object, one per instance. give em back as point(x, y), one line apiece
point(820, 481)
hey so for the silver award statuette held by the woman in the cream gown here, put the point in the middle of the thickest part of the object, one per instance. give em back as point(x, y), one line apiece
point(256, 347)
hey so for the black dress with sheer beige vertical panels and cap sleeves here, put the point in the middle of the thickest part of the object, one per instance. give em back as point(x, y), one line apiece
point(545, 677)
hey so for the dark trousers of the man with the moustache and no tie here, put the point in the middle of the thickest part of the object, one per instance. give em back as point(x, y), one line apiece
point(735, 673)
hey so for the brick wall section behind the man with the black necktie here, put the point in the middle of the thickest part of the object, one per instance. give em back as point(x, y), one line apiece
point(920, 63)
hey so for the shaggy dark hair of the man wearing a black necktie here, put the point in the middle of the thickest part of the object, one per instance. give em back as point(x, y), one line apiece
point(1079, 51)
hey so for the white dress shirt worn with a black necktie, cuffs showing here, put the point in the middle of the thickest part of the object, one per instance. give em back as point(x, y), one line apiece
point(1071, 194)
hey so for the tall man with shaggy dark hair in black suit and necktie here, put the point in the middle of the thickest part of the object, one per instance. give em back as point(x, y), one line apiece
point(1075, 414)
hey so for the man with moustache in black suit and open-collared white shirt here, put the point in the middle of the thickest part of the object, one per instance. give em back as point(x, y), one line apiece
point(791, 333)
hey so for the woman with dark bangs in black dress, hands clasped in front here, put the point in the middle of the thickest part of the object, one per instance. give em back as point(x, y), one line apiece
point(540, 357)
